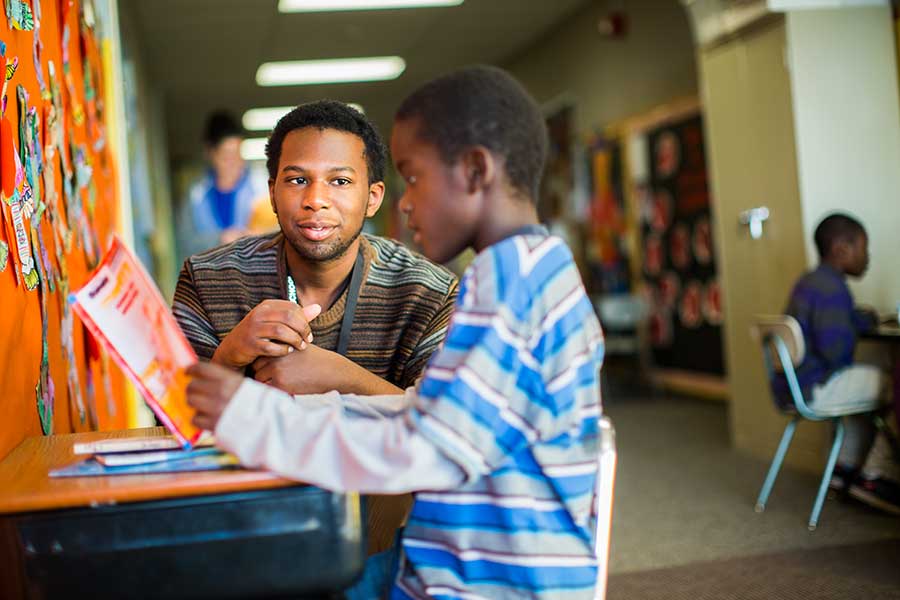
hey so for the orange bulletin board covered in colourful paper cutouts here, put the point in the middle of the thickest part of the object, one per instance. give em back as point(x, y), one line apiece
point(59, 208)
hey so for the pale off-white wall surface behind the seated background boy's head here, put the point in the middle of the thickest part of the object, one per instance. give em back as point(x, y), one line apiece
point(843, 68)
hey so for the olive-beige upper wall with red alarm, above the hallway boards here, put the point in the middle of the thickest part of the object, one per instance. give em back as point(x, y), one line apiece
point(612, 78)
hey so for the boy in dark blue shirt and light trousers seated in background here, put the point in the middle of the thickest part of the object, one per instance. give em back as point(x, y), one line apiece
point(822, 304)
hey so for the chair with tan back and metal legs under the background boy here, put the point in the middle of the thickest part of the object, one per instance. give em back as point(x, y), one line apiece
point(783, 350)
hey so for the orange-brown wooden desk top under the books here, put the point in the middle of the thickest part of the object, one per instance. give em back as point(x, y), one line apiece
point(25, 485)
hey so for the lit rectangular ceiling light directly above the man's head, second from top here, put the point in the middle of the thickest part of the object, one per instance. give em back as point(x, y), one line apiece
point(336, 70)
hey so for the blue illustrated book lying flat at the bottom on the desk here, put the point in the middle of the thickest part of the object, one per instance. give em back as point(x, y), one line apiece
point(206, 459)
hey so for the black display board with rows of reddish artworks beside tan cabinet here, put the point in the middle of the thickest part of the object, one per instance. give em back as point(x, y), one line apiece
point(680, 277)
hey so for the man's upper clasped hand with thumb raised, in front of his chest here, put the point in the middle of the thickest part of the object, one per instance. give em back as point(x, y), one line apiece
point(272, 328)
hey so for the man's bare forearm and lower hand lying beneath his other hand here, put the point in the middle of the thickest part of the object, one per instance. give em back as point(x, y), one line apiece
point(317, 371)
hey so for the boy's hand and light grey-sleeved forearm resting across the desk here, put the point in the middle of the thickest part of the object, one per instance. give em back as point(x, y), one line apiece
point(333, 441)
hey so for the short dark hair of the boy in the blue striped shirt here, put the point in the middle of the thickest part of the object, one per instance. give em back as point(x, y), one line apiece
point(483, 106)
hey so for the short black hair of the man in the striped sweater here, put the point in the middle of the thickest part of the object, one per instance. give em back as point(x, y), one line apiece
point(329, 114)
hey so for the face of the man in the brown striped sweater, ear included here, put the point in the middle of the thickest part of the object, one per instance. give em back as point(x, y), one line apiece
point(321, 192)
